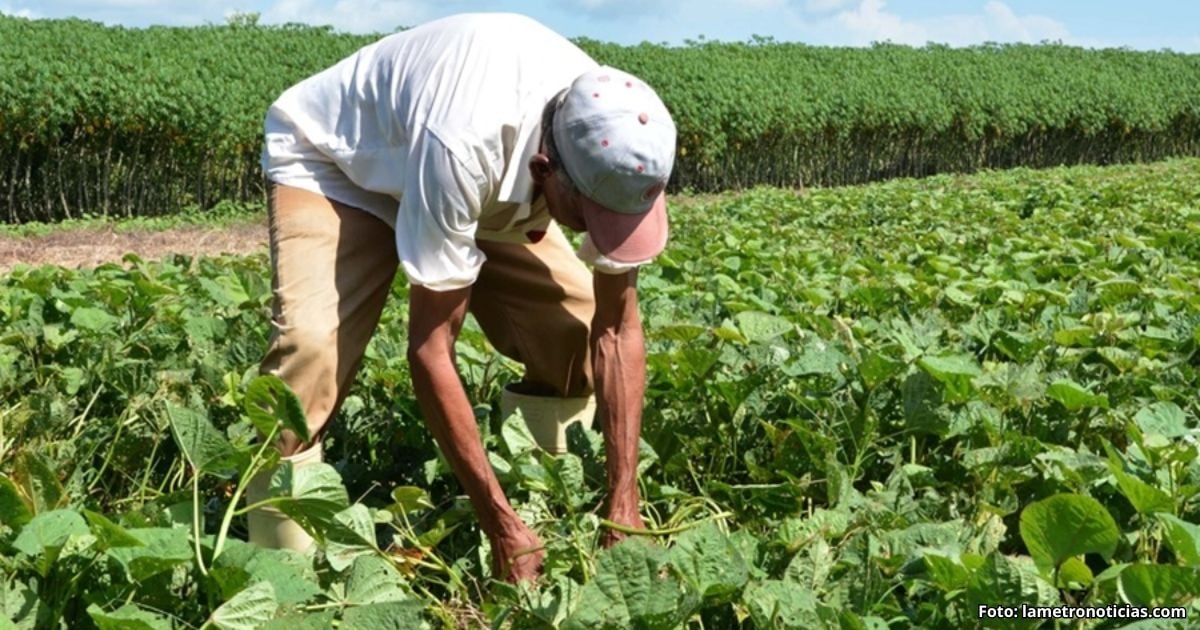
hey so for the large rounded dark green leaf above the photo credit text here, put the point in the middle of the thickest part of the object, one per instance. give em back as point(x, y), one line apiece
point(1066, 526)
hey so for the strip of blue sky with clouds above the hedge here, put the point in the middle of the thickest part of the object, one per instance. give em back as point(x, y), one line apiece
point(1147, 25)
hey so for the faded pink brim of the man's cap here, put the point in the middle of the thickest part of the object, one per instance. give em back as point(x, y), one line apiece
point(628, 238)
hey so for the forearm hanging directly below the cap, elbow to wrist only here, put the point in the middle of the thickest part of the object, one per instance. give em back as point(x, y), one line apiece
point(620, 373)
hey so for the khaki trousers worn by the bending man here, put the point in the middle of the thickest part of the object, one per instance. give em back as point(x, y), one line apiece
point(333, 269)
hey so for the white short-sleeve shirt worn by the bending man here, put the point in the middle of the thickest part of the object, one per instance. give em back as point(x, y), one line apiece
point(431, 130)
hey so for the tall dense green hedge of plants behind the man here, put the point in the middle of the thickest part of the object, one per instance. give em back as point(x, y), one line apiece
point(113, 121)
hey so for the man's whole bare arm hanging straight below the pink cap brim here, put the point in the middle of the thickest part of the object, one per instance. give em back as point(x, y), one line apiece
point(620, 351)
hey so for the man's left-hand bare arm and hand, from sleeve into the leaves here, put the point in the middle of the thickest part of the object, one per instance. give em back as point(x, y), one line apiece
point(434, 326)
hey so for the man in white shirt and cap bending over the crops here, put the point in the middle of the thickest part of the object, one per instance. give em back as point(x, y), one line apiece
point(454, 151)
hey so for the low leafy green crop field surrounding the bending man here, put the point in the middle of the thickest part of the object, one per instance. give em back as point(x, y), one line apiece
point(869, 407)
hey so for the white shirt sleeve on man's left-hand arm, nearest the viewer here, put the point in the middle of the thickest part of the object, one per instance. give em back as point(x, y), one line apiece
point(439, 217)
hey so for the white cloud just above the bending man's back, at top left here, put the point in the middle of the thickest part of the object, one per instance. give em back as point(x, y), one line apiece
point(353, 16)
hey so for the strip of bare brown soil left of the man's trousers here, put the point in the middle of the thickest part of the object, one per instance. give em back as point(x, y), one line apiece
point(88, 248)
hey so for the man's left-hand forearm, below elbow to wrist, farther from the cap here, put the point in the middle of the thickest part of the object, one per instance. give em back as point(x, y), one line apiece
point(452, 421)
